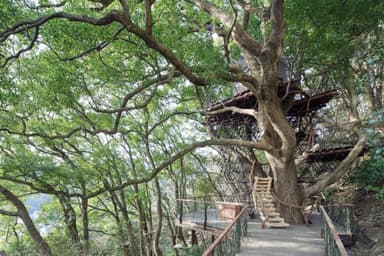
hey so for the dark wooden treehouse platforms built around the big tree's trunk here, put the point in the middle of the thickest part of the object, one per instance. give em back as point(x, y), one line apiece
point(299, 108)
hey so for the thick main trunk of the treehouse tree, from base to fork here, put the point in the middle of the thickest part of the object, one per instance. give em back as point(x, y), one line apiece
point(277, 132)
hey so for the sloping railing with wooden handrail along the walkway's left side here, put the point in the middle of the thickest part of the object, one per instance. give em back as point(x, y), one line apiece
point(228, 242)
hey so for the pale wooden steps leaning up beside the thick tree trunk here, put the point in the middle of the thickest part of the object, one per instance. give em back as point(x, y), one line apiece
point(266, 205)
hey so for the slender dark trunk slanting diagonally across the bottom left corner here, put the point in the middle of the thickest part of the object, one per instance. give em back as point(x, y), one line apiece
point(22, 212)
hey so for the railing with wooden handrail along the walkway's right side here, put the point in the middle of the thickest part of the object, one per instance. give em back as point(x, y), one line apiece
point(333, 243)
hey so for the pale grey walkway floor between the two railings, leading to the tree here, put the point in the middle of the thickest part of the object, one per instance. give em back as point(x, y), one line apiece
point(297, 240)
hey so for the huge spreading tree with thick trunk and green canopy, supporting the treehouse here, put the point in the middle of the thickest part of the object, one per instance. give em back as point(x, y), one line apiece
point(80, 75)
